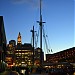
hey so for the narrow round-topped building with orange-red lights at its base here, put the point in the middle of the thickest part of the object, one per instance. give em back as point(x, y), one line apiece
point(10, 57)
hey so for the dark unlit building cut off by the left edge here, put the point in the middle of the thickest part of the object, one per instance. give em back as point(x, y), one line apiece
point(2, 40)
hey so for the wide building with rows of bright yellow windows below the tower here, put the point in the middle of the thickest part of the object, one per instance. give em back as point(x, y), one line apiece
point(24, 55)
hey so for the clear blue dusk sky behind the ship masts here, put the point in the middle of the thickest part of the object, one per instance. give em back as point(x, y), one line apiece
point(21, 15)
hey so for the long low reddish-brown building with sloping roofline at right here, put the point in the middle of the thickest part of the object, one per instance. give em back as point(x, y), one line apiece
point(67, 55)
